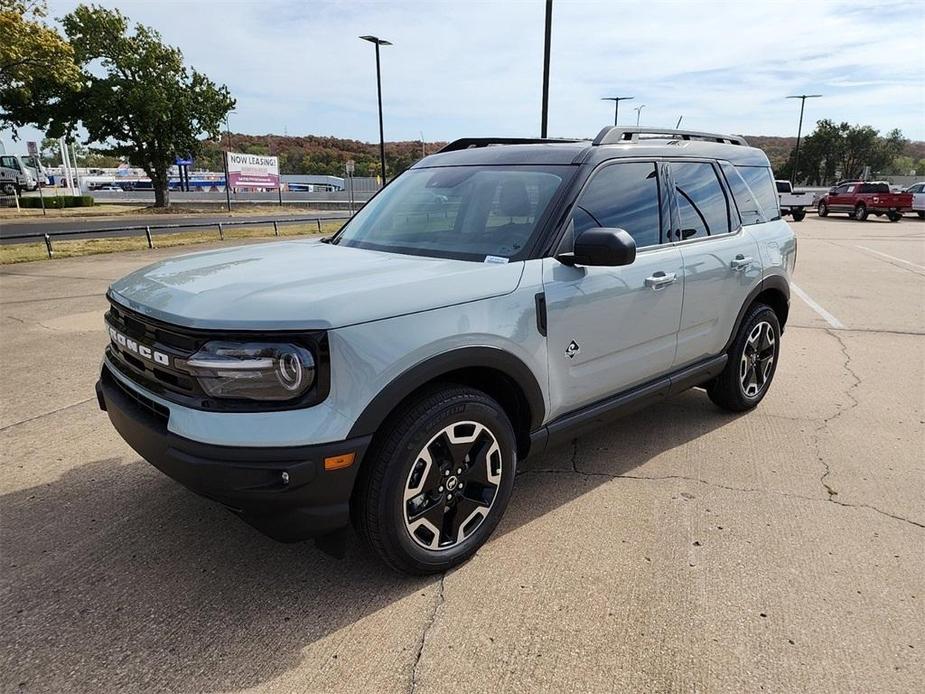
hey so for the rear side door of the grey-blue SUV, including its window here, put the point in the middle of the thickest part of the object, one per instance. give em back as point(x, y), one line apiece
point(721, 259)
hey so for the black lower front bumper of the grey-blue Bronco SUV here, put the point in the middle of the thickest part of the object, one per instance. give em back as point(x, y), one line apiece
point(311, 502)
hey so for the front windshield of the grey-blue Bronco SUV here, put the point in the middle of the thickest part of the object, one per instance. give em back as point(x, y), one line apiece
point(481, 213)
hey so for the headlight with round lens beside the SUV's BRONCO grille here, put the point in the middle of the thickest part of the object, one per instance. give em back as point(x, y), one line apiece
point(253, 370)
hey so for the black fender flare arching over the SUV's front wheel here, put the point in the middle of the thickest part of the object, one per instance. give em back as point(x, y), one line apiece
point(439, 365)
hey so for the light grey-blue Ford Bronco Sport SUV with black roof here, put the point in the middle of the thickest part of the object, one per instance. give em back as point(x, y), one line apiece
point(498, 297)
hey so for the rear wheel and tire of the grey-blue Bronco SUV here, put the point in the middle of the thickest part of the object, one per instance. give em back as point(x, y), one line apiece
point(746, 379)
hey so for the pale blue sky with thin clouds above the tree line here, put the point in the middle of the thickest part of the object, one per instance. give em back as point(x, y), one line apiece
point(469, 69)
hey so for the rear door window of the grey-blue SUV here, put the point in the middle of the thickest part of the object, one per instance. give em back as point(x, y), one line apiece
point(702, 204)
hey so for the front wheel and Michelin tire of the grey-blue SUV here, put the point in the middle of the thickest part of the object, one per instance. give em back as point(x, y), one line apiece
point(406, 488)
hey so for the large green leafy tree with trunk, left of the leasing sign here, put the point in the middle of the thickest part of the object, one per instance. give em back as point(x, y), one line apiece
point(137, 98)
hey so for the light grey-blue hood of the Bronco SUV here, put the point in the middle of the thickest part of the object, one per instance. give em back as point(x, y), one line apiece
point(304, 285)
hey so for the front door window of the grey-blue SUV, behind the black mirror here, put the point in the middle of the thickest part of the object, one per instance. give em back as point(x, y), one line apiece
point(622, 196)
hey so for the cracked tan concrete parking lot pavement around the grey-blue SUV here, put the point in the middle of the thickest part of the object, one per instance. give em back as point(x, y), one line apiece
point(681, 549)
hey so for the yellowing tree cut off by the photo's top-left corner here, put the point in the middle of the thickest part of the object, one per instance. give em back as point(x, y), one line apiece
point(36, 65)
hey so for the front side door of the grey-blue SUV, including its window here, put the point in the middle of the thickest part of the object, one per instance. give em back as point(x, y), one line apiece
point(610, 328)
